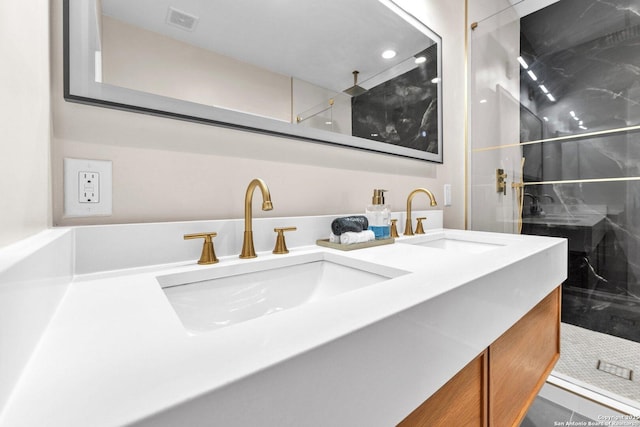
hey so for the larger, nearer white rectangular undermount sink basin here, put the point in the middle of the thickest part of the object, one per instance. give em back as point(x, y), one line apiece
point(219, 296)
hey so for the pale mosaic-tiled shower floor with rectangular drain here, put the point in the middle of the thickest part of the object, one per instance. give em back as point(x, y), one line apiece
point(581, 349)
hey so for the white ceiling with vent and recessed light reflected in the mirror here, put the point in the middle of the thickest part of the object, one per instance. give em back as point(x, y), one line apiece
point(321, 42)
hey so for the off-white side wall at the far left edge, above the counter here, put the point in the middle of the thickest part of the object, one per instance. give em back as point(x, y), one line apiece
point(24, 119)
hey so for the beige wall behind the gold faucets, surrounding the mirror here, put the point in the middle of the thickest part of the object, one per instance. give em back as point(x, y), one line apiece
point(173, 170)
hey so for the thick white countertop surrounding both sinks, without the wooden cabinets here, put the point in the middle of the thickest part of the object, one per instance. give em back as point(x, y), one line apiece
point(116, 353)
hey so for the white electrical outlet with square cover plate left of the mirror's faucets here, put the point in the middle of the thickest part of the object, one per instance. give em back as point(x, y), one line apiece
point(87, 187)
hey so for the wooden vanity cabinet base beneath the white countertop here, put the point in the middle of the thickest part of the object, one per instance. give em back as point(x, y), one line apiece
point(497, 388)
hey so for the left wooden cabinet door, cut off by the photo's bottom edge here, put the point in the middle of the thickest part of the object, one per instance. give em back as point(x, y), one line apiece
point(460, 402)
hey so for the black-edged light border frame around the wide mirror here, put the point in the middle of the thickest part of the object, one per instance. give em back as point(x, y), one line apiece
point(81, 40)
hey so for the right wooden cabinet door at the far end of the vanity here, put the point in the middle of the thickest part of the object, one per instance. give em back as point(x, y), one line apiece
point(520, 361)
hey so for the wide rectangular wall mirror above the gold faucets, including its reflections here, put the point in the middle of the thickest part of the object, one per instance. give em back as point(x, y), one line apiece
point(361, 73)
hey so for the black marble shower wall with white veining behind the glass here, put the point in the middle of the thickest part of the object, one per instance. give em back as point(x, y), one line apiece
point(582, 174)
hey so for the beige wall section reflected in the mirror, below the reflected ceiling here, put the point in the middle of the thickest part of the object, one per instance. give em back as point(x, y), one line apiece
point(143, 60)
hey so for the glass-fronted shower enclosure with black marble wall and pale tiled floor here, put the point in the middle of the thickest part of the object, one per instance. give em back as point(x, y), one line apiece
point(560, 87)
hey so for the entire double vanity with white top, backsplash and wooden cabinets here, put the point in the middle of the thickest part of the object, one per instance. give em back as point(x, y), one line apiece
point(143, 335)
